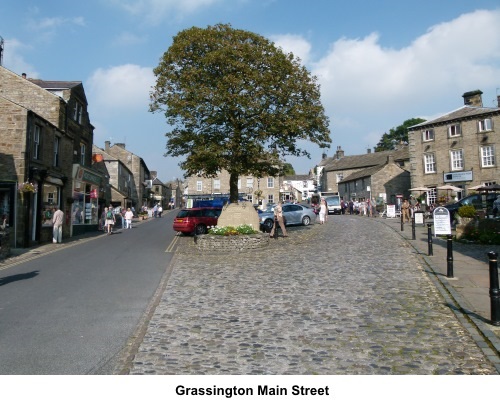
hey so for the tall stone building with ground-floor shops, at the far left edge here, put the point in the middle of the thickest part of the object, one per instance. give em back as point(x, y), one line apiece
point(53, 136)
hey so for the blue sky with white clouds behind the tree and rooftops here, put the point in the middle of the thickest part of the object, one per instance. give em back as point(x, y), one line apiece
point(378, 62)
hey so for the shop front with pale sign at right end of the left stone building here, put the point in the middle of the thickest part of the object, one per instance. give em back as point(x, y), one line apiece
point(83, 210)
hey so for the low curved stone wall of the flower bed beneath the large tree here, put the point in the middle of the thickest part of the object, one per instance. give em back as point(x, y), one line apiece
point(237, 243)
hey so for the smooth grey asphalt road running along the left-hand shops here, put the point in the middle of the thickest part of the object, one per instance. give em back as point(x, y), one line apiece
point(72, 311)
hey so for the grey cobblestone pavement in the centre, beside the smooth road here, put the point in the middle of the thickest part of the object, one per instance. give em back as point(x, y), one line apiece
point(349, 297)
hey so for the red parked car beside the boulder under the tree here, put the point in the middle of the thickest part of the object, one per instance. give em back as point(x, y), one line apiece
point(196, 220)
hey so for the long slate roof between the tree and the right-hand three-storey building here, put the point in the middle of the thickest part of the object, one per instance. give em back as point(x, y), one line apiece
point(366, 160)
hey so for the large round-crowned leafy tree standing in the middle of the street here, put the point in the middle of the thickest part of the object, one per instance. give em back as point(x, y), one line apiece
point(234, 101)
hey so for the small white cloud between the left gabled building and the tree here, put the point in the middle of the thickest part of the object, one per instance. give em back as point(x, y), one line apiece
point(120, 88)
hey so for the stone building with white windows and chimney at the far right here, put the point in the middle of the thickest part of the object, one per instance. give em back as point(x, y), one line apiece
point(460, 148)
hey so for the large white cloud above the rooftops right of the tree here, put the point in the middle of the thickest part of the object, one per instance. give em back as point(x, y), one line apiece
point(368, 89)
